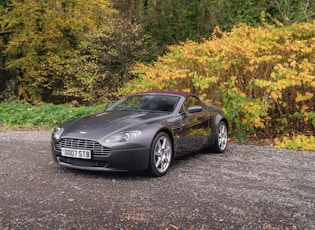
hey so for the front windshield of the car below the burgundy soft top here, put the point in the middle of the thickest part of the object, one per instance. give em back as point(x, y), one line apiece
point(148, 102)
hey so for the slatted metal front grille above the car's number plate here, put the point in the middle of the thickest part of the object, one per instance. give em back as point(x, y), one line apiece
point(96, 147)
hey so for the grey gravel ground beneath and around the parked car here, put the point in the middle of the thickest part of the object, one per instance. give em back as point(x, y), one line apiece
point(247, 187)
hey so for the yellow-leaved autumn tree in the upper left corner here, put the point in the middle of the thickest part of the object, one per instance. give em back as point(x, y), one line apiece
point(36, 35)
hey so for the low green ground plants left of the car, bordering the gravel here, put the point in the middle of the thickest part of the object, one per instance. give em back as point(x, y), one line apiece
point(19, 115)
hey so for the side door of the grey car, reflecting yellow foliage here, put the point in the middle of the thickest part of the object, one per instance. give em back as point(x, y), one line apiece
point(192, 135)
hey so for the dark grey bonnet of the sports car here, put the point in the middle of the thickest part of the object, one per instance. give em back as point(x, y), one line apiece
point(108, 123)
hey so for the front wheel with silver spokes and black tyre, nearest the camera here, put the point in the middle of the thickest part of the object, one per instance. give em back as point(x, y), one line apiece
point(161, 154)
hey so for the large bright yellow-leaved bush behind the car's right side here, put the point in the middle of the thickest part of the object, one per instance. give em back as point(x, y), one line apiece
point(259, 75)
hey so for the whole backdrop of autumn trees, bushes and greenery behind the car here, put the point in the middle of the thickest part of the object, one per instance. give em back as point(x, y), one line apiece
point(253, 58)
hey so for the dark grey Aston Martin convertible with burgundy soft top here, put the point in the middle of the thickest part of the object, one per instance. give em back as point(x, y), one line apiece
point(144, 131)
